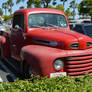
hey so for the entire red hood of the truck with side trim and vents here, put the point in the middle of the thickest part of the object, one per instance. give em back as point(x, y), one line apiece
point(58, 37)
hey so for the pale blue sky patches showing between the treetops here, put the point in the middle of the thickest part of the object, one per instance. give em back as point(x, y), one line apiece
point(16, 7)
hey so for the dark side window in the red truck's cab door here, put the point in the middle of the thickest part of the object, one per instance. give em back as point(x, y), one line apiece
point(19, 20)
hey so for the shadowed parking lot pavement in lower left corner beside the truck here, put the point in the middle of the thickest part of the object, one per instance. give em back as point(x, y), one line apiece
point(7, 73)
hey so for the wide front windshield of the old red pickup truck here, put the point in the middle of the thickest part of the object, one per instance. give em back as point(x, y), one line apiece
point(45, 20)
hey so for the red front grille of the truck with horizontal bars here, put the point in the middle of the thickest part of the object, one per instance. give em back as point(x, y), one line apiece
point(79, 65)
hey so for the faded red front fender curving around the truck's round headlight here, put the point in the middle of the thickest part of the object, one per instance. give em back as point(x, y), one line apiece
point(41, 58)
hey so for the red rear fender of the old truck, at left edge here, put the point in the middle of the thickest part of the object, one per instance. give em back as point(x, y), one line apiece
point(5, 46)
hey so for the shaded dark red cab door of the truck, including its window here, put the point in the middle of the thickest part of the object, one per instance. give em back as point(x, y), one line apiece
point(17, 35)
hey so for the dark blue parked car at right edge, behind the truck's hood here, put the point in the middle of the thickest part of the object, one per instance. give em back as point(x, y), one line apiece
point(83, 28)
